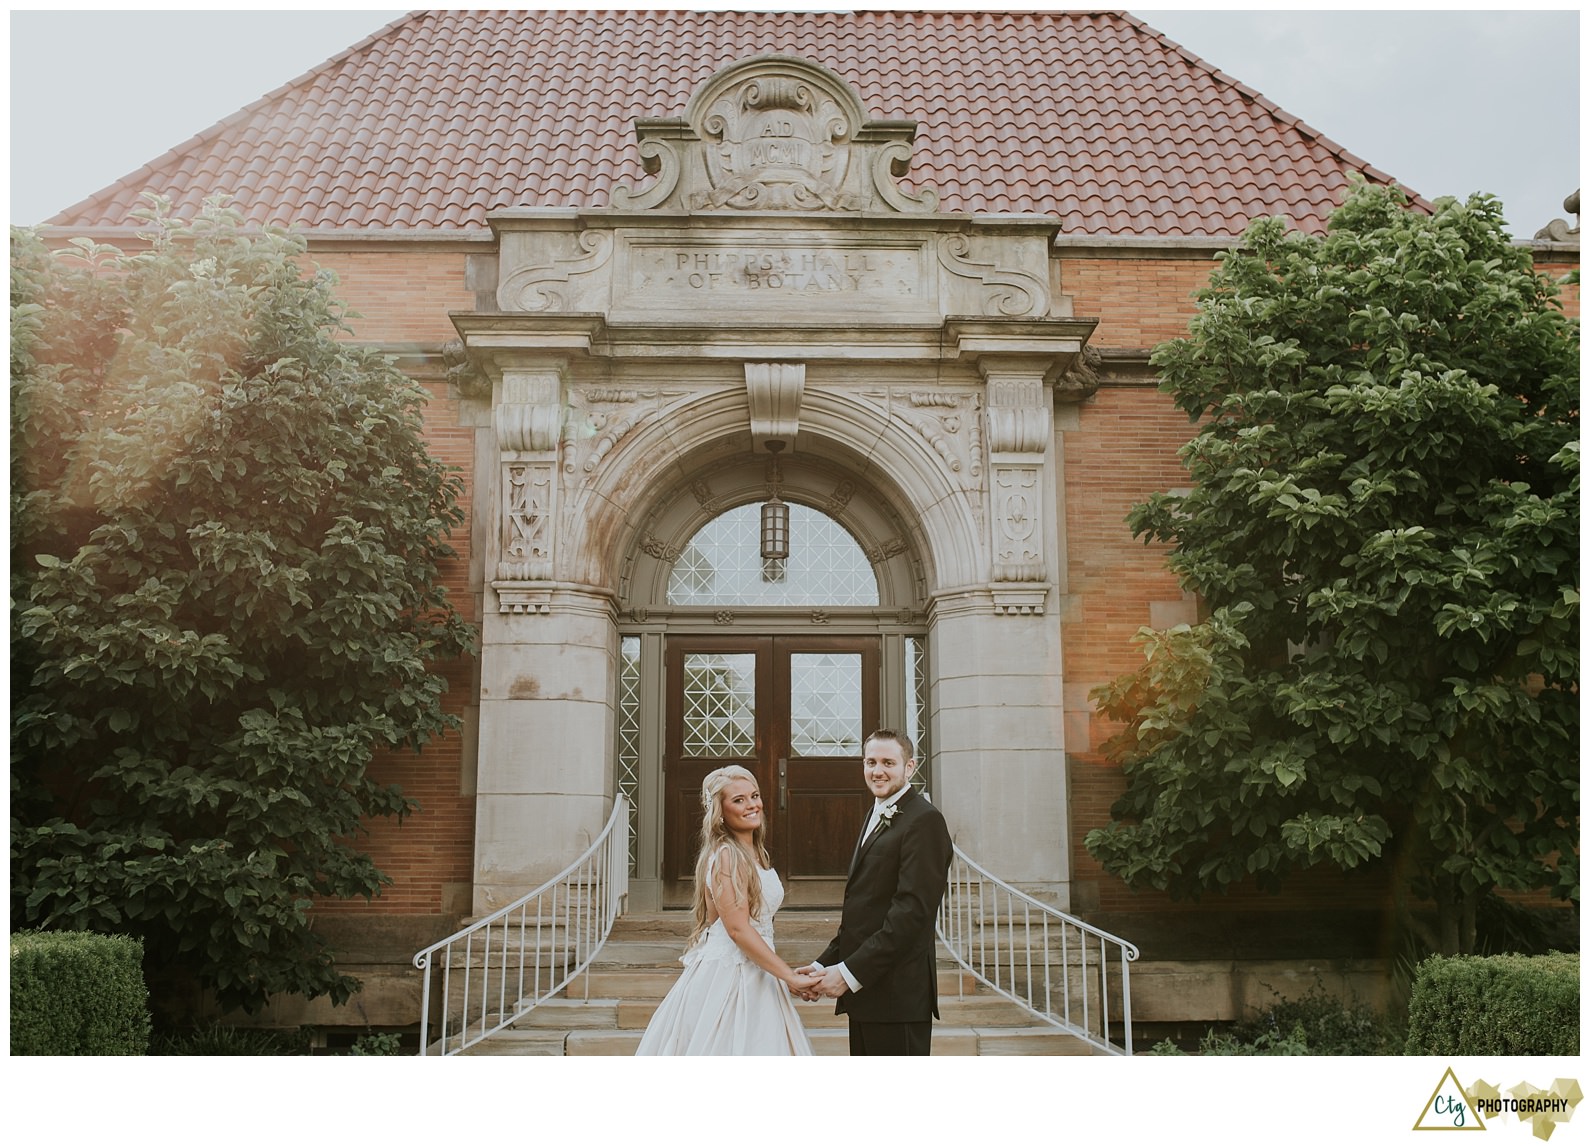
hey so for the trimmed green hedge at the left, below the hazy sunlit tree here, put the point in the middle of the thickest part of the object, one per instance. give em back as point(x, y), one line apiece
point(77, 993)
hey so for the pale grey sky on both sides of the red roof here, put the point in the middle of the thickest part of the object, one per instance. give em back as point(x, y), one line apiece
point(1449, 103)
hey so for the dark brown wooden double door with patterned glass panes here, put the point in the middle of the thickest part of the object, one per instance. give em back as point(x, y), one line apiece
point(794, 711)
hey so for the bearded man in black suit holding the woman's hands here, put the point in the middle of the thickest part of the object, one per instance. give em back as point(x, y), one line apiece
point(882, 964)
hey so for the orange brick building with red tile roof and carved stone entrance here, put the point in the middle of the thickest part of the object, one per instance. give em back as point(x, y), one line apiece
point(904, 273)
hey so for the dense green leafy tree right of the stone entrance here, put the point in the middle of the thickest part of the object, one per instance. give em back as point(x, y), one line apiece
point(1384, 527)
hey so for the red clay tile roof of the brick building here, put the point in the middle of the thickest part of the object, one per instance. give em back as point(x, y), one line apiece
point(446, 115)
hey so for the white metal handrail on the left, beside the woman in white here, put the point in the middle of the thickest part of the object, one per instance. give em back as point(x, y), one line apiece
point(529, 951)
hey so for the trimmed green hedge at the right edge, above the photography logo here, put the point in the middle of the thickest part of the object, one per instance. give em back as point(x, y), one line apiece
point(1495, 1005)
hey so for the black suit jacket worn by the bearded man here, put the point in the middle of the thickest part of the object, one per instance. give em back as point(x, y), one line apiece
point(886, 927)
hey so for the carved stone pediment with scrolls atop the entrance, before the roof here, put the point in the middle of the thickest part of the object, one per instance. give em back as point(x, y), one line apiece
point(775, 134)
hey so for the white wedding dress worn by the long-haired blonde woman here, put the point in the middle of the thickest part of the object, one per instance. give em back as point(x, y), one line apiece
point(724, 1004)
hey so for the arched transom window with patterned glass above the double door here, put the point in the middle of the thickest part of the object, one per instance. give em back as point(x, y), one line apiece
point(724, 567)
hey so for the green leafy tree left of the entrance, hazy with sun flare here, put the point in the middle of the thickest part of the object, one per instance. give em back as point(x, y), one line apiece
point(227, 544)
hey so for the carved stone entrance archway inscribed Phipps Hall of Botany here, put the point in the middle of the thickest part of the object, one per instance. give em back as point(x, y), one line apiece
point(662, 344)
